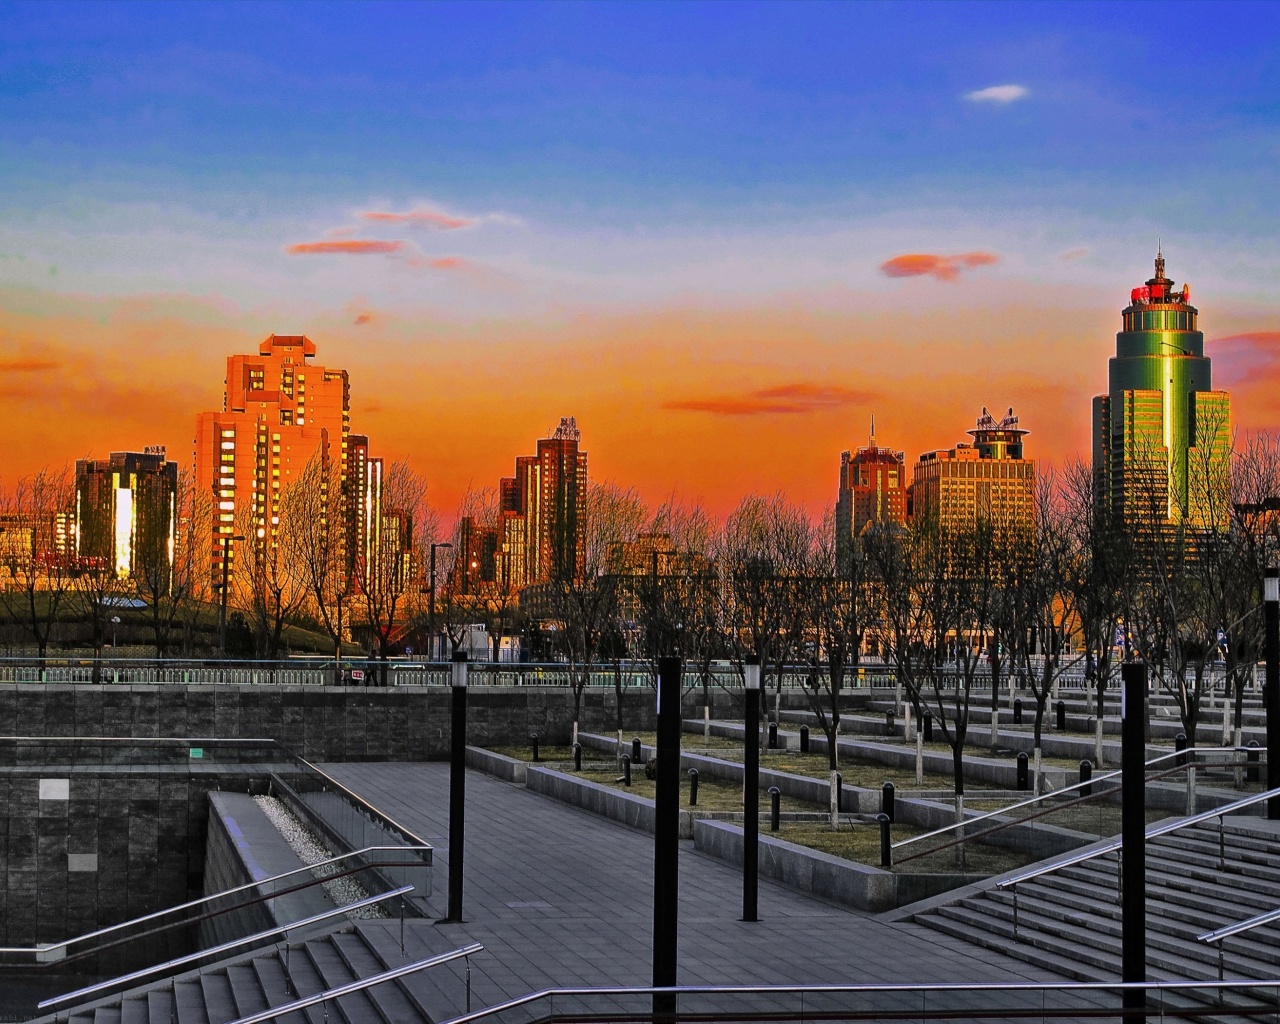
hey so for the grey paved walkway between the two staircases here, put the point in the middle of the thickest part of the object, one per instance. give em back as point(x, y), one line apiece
point(563, 898)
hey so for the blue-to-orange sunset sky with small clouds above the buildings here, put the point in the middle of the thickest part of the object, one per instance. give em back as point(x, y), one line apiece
point(723, 246)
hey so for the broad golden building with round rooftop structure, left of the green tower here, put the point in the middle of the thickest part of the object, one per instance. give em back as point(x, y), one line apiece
point(986, 481)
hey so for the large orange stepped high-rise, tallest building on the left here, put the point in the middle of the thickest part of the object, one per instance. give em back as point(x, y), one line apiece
point(278, 410)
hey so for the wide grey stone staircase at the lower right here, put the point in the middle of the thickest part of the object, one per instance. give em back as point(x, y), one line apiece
point(1069, 921)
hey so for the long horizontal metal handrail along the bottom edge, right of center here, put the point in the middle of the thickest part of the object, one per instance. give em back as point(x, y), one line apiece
point(871, 990)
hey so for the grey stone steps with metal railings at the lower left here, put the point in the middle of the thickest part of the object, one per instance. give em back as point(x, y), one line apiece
point(236, 989)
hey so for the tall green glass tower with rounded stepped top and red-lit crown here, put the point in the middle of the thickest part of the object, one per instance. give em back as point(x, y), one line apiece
point(1162, 435)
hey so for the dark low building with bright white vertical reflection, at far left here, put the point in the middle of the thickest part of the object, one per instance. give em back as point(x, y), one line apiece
point(126, 516)
